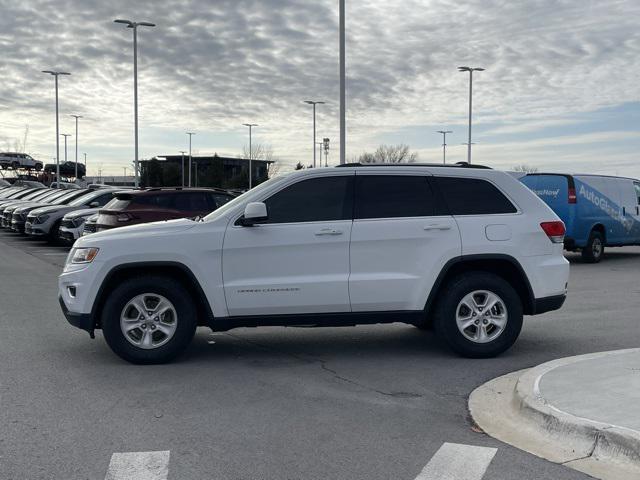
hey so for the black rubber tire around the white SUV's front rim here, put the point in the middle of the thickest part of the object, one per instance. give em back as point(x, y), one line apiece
point(185, 323)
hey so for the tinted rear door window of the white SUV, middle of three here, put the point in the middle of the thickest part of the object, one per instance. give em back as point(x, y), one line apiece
point(389, 196)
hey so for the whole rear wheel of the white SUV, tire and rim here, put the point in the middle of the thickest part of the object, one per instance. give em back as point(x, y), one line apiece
point(480, 316)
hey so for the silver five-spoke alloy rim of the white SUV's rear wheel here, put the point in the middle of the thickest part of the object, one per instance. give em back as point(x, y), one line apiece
point(481, 316)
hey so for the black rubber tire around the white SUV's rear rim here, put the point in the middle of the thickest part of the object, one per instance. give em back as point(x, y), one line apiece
point(446, 312)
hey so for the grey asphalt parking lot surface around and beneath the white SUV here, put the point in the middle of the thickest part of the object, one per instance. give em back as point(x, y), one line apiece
point(368, 402)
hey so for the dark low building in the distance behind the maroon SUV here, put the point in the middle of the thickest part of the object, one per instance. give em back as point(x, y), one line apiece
point(207, 171)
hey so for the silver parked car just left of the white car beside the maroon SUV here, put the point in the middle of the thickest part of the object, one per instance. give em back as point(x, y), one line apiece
point(46, 220)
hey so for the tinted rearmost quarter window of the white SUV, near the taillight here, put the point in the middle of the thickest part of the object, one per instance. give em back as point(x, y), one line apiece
point(473, 196)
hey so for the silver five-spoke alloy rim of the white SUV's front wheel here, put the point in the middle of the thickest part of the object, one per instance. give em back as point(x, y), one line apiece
point(148, 321)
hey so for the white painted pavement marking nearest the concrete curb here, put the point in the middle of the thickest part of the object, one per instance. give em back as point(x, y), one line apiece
point(454, 461)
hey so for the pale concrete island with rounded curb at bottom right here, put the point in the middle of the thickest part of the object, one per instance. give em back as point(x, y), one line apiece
point(583, 412)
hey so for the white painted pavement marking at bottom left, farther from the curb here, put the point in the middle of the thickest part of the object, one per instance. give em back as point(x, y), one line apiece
point(139, 466)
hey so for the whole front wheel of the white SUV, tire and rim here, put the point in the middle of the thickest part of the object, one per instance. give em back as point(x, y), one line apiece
point(149, 320)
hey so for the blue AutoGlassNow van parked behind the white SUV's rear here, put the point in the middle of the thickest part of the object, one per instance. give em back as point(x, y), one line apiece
point(598, 211)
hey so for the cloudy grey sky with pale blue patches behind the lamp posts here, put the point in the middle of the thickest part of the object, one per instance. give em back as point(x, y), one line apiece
point(560, 90)
